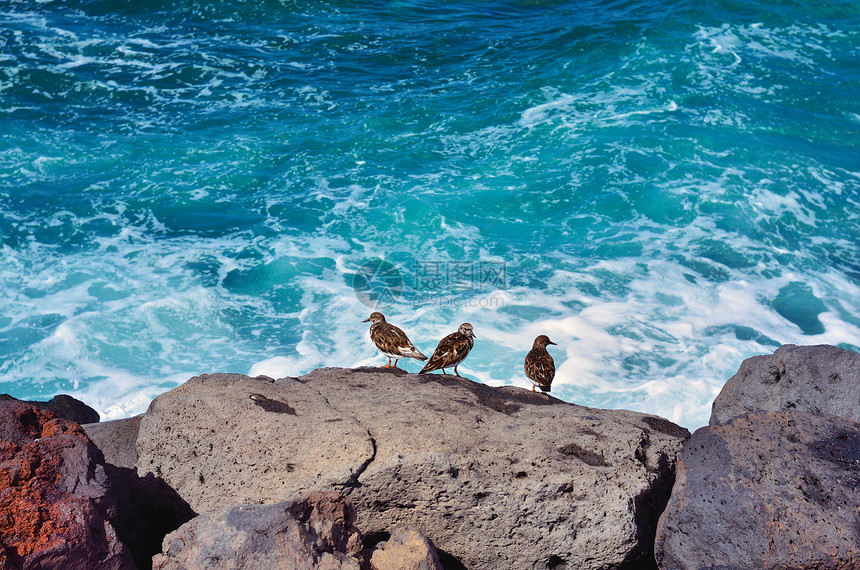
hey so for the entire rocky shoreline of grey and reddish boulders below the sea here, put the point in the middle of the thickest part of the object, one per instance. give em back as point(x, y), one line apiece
point(380, 469)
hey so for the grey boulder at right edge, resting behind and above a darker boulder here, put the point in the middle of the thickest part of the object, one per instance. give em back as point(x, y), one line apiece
point(819, 379)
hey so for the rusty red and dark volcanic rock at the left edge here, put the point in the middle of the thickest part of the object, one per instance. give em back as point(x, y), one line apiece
point(55, 500)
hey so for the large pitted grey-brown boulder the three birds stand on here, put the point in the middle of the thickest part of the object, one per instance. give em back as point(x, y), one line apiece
point(495, 477)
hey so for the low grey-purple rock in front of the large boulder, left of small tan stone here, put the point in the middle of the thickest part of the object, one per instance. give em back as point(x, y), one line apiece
point(315, 531)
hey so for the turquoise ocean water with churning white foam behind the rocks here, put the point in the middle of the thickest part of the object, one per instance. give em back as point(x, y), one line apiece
point(663, 187)
